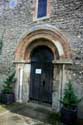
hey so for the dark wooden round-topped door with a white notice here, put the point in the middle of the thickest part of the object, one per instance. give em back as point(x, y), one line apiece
point(41, 75)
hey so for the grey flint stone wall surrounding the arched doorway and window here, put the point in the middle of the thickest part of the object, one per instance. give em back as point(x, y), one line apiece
point(66, 15)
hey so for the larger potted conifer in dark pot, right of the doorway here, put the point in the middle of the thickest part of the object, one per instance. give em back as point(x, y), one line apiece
point(69, 105)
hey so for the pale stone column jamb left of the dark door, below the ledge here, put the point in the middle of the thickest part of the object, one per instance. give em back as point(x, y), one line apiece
point(23, 82)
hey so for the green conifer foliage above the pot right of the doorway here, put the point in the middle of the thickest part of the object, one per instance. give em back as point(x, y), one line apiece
point(70, 100)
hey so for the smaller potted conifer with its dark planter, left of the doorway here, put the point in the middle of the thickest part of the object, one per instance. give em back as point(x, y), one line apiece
point(7, 95)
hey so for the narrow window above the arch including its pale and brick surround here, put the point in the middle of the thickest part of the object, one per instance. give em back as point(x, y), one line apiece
point(42, 9)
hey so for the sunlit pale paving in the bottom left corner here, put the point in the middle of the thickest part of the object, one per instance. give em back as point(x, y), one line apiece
point(16, 119)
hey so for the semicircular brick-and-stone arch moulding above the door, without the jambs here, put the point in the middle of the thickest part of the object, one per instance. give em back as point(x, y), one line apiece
point(48, 32)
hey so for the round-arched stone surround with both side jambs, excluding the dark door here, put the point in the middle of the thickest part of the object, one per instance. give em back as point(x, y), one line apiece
point(58, 44)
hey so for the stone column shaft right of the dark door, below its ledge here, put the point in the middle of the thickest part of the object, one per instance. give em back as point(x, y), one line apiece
point(58, 85)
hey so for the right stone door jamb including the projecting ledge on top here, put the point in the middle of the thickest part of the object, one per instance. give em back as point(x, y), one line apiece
point(59, 81)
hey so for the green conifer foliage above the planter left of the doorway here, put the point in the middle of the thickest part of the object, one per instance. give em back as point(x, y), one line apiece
point(8, 84)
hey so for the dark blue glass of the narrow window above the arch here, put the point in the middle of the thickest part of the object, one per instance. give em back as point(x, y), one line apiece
point(42, 8)
